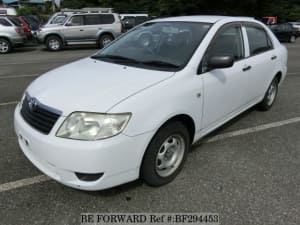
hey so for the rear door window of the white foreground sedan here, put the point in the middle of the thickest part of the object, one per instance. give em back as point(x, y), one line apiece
point(259, 41)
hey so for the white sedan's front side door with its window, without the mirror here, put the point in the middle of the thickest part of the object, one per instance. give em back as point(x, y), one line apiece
point(224, 88)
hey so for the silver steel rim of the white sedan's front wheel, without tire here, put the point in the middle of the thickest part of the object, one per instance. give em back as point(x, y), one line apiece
point(170, 155)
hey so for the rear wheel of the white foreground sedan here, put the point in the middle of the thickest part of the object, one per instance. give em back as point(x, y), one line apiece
point(270, 96)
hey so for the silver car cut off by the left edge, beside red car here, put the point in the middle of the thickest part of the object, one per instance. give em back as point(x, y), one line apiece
point(11, 34)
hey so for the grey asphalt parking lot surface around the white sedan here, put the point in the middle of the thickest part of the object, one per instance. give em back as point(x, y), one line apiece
point(248, 171)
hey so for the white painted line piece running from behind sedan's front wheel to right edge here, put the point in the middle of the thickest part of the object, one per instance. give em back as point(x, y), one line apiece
point(252, 130)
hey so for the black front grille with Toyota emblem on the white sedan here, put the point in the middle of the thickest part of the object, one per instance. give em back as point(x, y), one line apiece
point(40, 117)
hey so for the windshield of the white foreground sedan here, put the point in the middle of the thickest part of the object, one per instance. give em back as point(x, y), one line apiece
point(157, 45)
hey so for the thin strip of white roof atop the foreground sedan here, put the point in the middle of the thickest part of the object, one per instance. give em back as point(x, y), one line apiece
point(203, 19)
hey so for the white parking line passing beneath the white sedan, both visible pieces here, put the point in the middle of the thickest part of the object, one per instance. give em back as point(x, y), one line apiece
point(42, 178)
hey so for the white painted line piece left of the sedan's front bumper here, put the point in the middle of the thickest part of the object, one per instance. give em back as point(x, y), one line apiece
point(23, 183)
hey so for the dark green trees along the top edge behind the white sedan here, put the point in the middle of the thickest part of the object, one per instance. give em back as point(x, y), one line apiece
point(284, 9)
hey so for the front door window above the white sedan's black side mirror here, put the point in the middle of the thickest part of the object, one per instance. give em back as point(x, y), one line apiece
point(228, 42)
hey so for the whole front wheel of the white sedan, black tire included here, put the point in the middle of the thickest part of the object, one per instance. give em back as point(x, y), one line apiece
point(165, 155)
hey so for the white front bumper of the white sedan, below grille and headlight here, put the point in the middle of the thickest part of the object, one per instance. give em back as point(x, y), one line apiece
point(118, 158)
